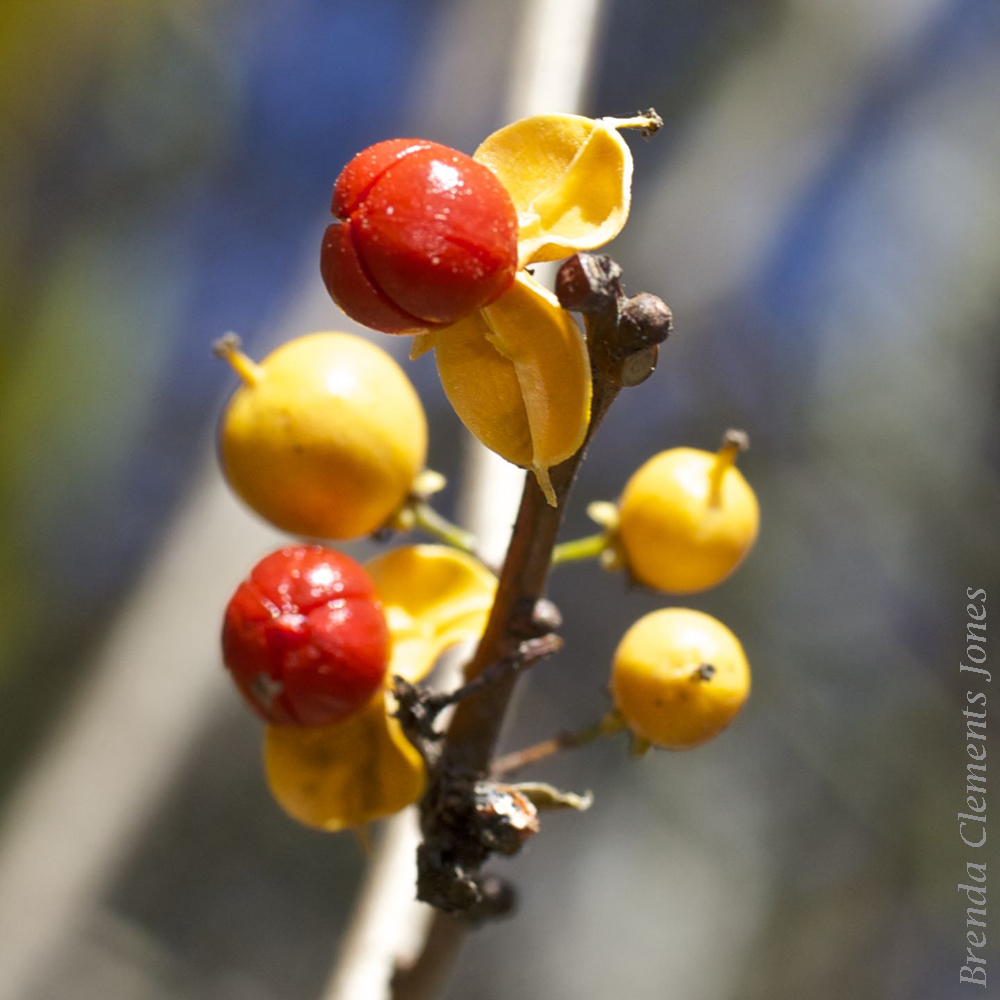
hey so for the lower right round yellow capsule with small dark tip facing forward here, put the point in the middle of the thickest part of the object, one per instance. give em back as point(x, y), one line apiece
point(679, 678)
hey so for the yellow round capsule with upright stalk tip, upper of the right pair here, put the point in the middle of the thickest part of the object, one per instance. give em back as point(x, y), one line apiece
point(688, 518)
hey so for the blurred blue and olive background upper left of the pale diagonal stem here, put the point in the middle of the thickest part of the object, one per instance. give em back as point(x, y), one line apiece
point(165, 170)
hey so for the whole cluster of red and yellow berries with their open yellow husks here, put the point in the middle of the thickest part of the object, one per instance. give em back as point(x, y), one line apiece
point(327, 439)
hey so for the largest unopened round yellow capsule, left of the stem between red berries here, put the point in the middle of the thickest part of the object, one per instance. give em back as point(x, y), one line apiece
point(325, 436)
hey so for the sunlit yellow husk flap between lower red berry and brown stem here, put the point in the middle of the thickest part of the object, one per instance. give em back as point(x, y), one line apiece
point(434, 597)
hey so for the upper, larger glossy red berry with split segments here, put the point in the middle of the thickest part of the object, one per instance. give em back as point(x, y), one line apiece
point(424, 235)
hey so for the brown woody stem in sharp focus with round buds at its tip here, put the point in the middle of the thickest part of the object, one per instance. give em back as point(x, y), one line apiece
point(622, 337)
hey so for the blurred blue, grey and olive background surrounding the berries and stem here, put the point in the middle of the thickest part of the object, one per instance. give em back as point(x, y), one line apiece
point(821, 212)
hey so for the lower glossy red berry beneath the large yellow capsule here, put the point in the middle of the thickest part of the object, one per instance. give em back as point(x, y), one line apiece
point(305, 638)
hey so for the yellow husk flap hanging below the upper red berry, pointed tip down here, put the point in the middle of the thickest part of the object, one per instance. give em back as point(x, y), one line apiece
point(518, 375)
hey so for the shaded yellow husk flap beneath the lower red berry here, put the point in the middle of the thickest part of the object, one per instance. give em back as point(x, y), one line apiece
point(344, 775)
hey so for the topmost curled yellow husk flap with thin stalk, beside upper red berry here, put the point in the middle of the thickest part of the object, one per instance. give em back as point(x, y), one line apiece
point(570, 179)
